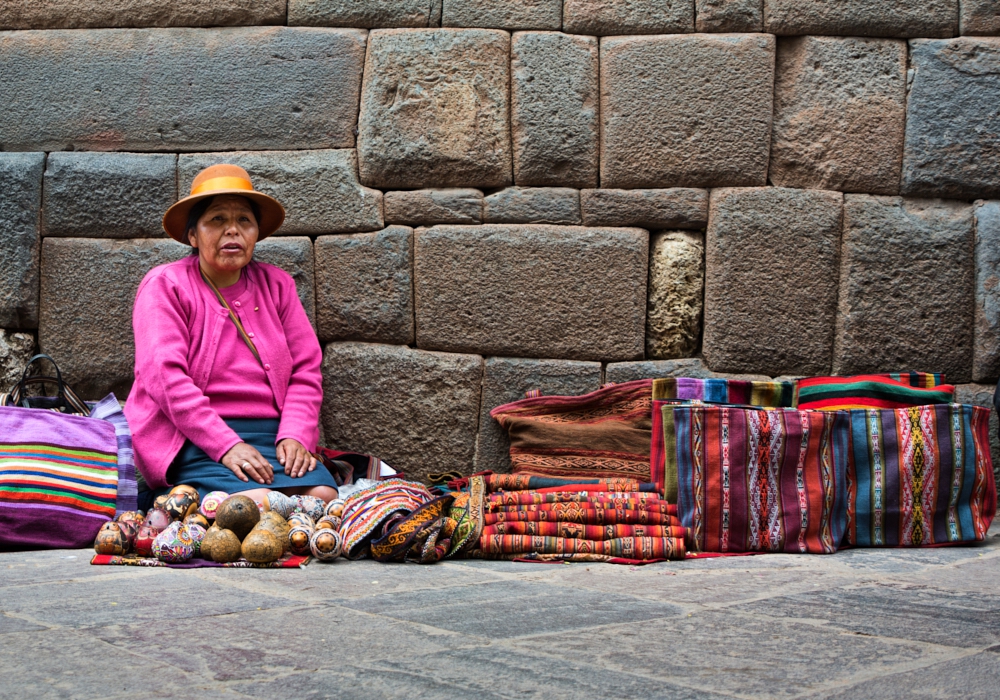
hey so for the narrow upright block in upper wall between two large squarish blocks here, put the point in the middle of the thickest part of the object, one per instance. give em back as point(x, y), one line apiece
point(553, 109)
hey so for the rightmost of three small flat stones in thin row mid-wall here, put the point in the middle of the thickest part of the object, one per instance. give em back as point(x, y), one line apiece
point(678, 207)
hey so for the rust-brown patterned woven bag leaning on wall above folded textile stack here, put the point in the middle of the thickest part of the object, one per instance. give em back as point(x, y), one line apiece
point(604, 434)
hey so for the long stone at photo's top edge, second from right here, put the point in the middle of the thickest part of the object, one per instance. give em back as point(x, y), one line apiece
point(892, 18)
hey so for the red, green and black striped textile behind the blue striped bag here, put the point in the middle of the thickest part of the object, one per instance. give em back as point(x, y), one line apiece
point(867, 391)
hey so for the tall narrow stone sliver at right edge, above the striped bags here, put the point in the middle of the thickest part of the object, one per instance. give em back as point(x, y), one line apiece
point(986, 337)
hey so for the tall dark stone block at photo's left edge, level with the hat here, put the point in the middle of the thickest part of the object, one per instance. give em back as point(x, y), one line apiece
point(20, 246)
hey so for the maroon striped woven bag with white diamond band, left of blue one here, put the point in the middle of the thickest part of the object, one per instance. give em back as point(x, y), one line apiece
point(751, 479)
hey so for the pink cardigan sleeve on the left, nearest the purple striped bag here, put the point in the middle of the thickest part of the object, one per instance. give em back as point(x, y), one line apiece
point(162, 343)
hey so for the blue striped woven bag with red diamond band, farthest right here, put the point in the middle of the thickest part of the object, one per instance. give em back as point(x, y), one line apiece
point(920, 476)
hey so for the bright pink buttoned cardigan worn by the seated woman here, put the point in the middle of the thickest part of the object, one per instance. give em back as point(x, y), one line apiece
point(177, 322)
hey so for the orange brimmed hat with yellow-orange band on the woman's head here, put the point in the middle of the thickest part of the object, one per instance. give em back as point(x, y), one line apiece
point(223, 179)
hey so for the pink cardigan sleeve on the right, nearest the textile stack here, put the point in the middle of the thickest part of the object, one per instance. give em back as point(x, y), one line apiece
point(300, 414)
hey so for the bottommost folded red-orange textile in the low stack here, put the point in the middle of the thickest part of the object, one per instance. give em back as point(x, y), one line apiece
point(628, 547)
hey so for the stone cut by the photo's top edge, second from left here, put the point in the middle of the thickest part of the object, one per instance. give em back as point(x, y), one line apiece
point(363, 13)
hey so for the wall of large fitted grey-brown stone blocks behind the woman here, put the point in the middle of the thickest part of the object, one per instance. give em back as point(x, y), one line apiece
point(491, 196)
